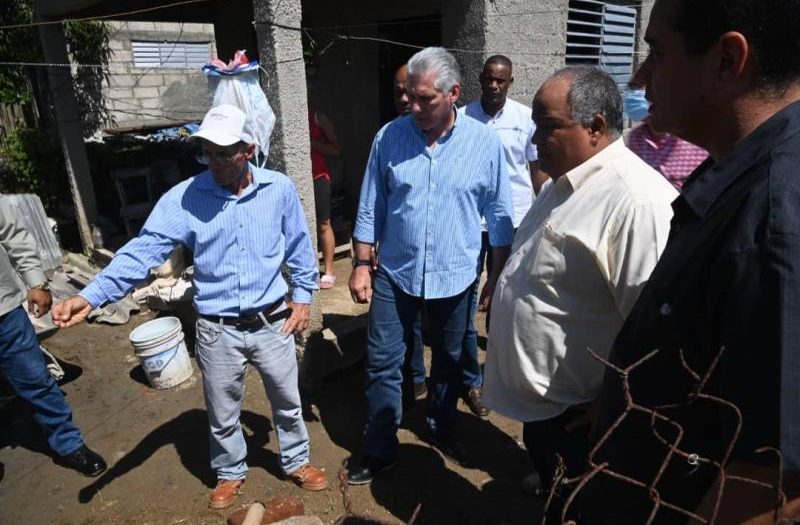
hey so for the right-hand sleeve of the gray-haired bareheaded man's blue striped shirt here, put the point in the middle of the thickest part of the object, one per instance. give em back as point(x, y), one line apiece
point(498, 211)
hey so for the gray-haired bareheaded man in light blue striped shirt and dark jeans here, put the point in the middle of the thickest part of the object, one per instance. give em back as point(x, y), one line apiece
point(430, 177)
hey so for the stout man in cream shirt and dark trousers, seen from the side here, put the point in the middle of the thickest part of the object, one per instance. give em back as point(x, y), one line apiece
point(579, 260)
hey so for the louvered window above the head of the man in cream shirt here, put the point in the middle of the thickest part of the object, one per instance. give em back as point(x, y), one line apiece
point(602, 34)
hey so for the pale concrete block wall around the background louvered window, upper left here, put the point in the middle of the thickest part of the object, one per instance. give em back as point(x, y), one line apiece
point(139, 96)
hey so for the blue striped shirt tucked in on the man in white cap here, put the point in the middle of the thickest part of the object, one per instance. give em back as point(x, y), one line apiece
point(239, 244)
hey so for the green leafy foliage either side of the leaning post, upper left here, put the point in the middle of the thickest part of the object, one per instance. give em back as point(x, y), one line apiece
point(31, 160)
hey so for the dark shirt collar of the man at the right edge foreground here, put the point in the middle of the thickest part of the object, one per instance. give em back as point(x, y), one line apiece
point(711, 179)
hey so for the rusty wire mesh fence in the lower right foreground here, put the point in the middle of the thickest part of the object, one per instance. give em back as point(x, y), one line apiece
point(674, 451)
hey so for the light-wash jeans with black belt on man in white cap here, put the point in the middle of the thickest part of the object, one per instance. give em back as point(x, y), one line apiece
point(222, 355)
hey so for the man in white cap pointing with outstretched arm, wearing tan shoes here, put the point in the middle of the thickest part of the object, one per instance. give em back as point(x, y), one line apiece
point(242, 223)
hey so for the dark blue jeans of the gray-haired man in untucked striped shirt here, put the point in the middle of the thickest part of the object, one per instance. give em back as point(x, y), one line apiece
point(392, 316)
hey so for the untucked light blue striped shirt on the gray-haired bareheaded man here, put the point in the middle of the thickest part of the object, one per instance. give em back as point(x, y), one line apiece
point(423, 207)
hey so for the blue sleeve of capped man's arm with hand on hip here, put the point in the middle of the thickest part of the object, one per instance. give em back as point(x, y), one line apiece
point(299, 256)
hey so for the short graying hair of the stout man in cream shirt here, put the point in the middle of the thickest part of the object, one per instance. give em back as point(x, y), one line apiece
point(592, 92)
